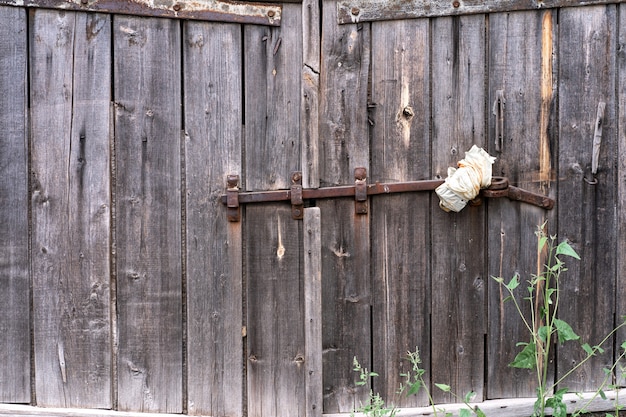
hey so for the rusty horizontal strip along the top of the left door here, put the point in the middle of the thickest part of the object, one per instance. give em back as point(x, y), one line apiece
point(207, 10)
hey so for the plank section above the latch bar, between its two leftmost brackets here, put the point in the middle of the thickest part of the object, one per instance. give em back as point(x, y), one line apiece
point(272, 88)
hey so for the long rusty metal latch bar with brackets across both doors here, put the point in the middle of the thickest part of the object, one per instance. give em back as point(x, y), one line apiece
point(360, 191)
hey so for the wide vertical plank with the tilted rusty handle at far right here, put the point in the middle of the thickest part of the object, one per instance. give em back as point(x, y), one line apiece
point(586, 212)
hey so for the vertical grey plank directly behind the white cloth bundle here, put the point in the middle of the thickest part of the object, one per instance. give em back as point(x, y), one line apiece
point(458, 268)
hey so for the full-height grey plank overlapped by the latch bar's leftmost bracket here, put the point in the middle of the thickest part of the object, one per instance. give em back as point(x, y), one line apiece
point(213, 120)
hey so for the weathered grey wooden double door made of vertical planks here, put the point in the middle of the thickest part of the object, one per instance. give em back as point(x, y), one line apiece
point(124, 286)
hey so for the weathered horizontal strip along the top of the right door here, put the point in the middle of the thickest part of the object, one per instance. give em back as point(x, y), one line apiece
point(371, 10)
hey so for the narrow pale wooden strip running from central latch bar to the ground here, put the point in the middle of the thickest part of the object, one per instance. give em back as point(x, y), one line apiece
point(312, 246)
